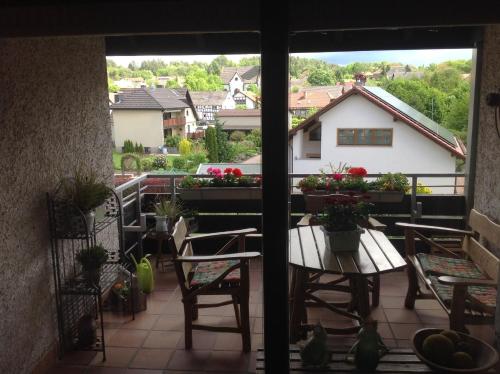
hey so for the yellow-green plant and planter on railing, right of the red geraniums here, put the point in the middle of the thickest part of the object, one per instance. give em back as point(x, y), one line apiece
point(389, 188)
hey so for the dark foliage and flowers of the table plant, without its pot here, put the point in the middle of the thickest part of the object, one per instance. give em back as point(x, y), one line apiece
point(344, 213)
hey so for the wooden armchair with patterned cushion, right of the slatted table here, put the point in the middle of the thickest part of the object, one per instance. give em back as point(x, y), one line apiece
point(465, 281)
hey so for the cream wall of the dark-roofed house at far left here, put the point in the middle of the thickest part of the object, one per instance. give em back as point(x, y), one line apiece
point(141, 126)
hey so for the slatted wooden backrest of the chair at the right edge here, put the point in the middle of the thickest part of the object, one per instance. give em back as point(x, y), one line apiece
point(489, 235)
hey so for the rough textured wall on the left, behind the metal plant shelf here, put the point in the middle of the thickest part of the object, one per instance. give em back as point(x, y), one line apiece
point(53, 116)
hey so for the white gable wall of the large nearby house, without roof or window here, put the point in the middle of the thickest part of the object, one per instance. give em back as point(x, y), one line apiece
point(410, 152)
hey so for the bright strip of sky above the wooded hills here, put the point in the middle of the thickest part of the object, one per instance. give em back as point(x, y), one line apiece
point(410, 57)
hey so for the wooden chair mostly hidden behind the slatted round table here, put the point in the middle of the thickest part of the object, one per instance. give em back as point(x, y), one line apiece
point(314, 204)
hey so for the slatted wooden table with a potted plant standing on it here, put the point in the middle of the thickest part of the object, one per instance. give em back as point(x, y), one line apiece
point(310, 259)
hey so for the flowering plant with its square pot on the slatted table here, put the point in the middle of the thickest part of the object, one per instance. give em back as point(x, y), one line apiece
point(340, 222)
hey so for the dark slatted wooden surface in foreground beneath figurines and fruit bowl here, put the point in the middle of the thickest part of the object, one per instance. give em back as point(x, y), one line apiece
point(400, 360)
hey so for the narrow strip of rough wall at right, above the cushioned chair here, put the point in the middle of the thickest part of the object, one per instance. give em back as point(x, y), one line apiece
point(487, 185)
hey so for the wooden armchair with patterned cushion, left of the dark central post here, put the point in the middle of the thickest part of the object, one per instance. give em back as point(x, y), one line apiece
point(218, 274)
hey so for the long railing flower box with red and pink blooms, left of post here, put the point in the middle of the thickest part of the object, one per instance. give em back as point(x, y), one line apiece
point(228, 185)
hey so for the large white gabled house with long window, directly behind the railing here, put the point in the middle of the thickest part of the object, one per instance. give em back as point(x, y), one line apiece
point(369, 127)
